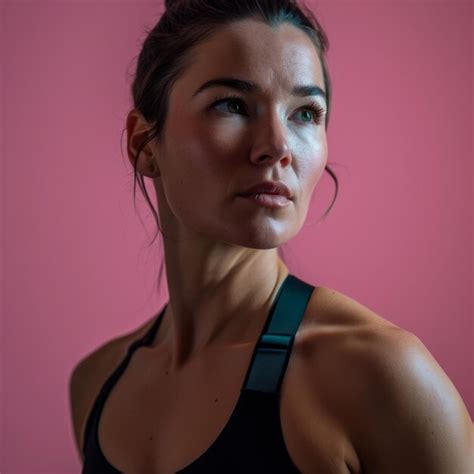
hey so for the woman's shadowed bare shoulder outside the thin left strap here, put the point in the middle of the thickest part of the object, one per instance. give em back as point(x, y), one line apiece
point(91, 372)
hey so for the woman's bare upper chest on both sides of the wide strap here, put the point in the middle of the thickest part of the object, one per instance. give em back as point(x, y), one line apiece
point(154, 422)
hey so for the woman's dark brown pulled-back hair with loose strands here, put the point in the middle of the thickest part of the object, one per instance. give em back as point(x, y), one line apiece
point(165, 55)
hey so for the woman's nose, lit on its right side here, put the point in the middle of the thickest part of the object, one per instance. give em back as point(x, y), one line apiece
point(271, 141)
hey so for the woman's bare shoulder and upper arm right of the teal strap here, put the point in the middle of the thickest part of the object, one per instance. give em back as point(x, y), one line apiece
point(396, 405)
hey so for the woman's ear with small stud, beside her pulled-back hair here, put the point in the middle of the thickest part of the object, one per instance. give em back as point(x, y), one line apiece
point(137, 132)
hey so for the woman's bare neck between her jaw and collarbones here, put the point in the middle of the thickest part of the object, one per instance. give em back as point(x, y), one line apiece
point(219, 306)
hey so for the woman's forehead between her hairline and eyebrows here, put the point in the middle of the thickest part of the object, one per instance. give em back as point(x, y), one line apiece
point(275, 58)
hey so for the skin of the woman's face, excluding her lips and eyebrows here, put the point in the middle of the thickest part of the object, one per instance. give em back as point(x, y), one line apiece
point(214, 151)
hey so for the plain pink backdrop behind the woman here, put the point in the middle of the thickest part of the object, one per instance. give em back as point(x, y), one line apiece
point(75, 268)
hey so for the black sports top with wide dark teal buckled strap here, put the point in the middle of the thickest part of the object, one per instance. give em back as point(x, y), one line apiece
point(252, 440)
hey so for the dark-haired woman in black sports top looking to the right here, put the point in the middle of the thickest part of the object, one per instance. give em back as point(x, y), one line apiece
point(248, 369)
